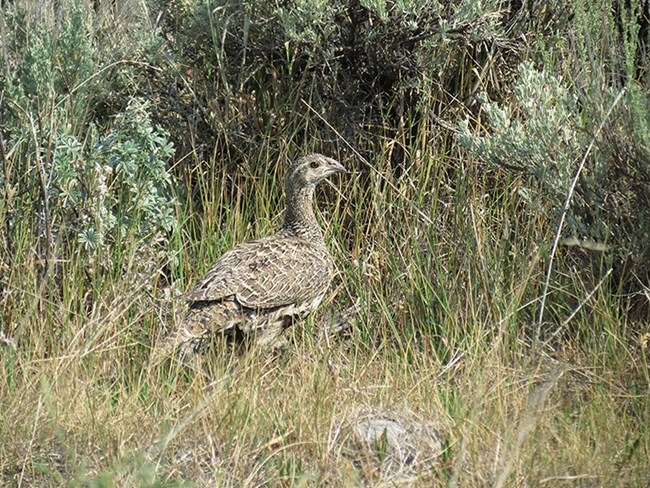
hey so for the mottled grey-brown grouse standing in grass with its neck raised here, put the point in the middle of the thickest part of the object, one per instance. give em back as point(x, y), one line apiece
point(258, 288)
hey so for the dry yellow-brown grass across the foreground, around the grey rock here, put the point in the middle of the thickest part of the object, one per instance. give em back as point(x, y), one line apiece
point(288, 420)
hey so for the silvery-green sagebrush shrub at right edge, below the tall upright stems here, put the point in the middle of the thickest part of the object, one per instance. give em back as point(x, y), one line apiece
point(545, 132)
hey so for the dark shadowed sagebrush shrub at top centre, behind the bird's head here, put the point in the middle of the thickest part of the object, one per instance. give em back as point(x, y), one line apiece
point(375, 63)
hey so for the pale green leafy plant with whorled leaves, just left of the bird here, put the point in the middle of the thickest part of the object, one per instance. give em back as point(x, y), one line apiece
point(132, 196)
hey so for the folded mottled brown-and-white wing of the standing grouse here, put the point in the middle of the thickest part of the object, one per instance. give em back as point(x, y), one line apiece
point(267, 273)
